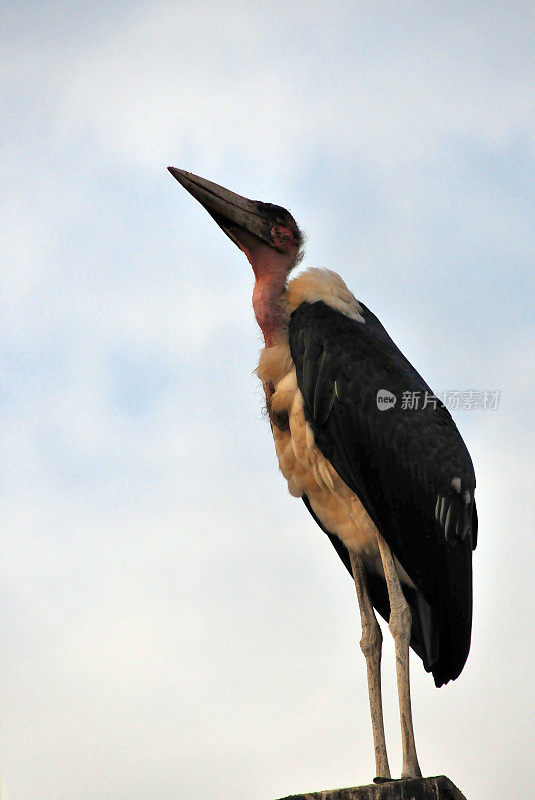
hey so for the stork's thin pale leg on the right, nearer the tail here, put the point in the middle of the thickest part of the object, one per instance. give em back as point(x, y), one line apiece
point(400, 626)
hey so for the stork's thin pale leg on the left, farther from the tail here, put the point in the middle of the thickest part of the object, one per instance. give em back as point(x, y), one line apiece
point(370, 645)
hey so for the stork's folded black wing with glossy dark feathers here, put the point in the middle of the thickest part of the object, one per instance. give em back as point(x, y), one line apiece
point(409, 467)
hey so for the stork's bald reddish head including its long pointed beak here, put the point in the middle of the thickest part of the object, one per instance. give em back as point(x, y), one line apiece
point(267, 234)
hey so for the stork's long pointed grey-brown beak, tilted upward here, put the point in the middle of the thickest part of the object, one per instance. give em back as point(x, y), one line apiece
point(231, 211)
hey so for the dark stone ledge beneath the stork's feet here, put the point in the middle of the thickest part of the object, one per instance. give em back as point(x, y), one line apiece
point(436, 788)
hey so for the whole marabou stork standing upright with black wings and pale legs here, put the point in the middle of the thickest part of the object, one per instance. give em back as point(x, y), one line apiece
point(393, 488)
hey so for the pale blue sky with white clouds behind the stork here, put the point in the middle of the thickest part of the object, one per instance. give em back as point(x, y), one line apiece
point(174, 624)
